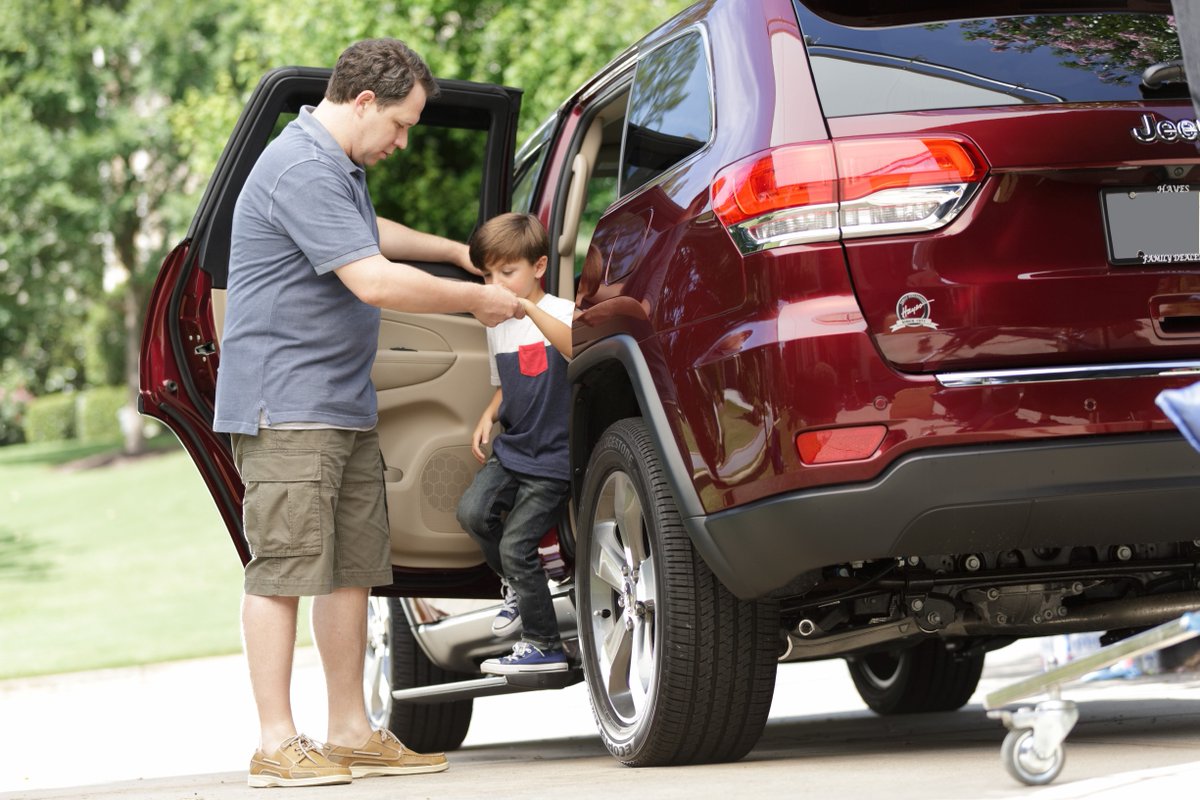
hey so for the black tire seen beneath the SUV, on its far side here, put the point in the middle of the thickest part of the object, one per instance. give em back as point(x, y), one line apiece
point(920, 679)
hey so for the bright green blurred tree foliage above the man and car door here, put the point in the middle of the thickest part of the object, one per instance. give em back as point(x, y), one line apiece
point(545, 47)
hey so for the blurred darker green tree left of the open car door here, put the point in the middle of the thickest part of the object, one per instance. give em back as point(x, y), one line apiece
point(97, 183)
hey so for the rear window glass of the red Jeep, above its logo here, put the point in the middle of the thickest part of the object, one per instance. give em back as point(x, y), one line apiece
point(989, 62)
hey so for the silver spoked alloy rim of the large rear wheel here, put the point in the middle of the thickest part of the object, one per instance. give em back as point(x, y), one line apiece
point(623, 599)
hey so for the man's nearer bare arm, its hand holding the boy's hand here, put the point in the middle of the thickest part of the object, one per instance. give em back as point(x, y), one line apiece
point(376, 281)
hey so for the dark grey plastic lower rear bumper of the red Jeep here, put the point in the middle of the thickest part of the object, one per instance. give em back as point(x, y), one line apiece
point(1076, 492)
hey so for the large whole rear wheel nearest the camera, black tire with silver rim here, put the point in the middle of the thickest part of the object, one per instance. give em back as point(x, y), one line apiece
point(680, 671)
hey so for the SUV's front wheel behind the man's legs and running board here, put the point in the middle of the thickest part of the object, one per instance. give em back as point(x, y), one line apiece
point(397, 661)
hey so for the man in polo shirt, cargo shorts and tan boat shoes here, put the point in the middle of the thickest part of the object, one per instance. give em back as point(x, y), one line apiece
point(310, 267)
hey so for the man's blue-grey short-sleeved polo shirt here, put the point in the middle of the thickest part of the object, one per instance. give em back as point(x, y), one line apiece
point(298, 345)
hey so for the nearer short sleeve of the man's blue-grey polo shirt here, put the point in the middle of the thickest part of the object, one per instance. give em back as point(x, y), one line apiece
point(314, 204)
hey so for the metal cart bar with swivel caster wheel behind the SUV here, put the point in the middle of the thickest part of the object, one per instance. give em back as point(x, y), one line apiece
point(1034, 751)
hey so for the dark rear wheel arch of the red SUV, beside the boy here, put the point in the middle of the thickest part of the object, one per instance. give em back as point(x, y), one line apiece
point(611, 381)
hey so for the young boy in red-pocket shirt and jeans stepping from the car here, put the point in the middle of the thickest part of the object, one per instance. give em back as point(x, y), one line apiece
point(527, 477)
